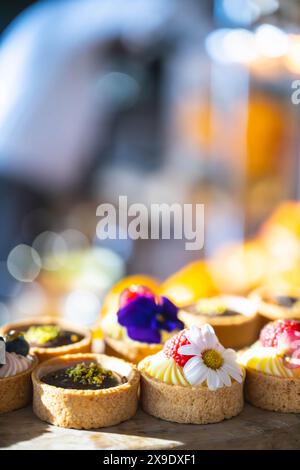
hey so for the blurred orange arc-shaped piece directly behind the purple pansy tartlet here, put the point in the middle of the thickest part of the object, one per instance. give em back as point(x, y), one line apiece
point(111, 300)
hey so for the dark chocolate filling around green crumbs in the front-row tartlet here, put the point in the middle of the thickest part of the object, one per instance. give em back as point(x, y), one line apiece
point(59, 378)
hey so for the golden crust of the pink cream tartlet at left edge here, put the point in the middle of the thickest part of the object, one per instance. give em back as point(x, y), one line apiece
point(16, 391)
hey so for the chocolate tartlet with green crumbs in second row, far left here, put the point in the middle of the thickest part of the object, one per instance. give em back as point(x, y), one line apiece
point(50, 337)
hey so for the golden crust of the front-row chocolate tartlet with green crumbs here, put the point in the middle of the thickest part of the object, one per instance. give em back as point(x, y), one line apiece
point(85, 409)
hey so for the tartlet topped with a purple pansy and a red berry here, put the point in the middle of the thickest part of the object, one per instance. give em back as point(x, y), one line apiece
point(141, 325)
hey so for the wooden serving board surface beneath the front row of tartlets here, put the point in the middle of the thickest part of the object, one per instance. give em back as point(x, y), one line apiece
point(252, 429)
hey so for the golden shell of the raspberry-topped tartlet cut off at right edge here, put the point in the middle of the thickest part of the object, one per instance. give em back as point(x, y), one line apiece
point(272, 393)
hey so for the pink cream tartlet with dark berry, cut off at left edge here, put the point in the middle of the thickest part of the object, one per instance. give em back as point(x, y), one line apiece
point(16, 366)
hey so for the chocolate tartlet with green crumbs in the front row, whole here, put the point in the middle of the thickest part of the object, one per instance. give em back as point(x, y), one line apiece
point(85, 405)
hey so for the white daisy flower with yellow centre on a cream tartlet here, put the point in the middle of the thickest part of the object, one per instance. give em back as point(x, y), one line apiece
point(210, 361)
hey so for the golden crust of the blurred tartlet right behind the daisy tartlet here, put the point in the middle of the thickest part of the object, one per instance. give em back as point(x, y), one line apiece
point(233, 331)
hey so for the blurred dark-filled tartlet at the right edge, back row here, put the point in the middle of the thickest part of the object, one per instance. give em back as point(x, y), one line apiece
point(277, 302)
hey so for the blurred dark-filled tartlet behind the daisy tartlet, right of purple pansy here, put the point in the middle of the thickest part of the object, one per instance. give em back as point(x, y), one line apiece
point(233, 318)
